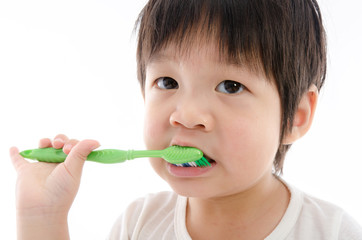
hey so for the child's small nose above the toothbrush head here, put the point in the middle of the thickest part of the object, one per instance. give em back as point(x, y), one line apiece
point(192, 114)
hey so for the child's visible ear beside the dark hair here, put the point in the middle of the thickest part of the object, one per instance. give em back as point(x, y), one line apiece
point(303, 117)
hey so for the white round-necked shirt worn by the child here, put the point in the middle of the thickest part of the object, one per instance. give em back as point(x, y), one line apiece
point(163, 216)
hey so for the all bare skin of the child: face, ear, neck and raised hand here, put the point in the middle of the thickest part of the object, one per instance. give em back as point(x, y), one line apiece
point(238, 126)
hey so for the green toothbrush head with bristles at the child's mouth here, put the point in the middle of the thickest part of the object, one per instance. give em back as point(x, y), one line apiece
point(185, 156)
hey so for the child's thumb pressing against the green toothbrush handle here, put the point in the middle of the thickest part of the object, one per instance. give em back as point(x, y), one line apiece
point(75, 160)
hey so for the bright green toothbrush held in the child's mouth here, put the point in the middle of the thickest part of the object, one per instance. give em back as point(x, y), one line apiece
point(177, 155)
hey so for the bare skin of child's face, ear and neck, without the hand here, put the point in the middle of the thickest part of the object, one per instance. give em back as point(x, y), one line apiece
point(239, 197)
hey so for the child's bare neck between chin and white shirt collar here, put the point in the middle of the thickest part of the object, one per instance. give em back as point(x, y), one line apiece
point(260, 207)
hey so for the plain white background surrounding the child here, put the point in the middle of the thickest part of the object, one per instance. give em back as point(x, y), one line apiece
point(69, 67)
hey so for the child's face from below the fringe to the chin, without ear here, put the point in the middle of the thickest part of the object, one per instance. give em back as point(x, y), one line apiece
point(230, 113)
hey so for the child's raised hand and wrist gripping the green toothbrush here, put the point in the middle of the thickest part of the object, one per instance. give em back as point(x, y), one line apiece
point(45, 191)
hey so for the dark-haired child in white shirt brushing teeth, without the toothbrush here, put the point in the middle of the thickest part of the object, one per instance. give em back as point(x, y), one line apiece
point(238, 80)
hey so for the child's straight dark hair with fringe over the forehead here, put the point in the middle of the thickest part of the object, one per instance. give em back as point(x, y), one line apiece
point(283, 38)
